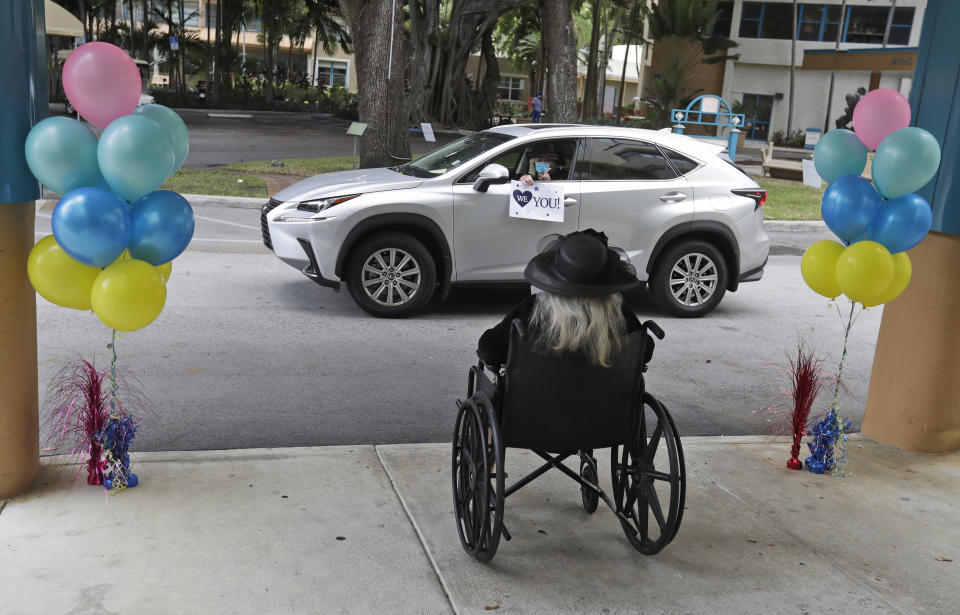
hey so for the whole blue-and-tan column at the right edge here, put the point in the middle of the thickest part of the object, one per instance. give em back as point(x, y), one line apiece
point(914, 397)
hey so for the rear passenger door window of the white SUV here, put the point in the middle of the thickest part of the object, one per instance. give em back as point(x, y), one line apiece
point(626, 159)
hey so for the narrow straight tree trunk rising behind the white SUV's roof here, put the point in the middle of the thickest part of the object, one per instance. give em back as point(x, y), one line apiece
point(561, 47)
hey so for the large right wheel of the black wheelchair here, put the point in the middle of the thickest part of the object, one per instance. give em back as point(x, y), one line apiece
point(649, 482)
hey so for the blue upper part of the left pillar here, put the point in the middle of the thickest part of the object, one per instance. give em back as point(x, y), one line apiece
point(24, 99)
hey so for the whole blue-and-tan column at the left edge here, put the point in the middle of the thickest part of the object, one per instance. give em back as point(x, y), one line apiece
point(23, 102)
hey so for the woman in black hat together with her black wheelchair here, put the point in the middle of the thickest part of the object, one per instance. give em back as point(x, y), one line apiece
point(562, 375)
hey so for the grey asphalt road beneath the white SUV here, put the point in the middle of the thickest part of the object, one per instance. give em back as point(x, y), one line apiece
point(249, 353)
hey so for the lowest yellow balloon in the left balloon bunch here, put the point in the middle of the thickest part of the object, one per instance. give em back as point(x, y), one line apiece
point(128, 295)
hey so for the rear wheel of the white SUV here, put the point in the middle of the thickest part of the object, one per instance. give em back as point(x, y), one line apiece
point(689, 279)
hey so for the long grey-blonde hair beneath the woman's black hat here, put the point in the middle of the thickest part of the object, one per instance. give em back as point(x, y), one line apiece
point(594, 326)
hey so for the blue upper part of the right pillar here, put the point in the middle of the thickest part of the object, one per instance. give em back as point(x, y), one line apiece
point(935, 102)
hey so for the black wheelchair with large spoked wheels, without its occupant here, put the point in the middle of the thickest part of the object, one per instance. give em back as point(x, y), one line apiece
point(558, 405)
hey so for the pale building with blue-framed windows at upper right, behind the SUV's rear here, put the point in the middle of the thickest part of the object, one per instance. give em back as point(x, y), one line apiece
point(760, 78)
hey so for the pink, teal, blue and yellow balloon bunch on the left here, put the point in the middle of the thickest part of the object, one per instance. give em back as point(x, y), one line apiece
point(114, 234)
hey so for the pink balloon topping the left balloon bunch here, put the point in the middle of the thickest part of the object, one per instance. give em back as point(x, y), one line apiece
point(102, 82)
